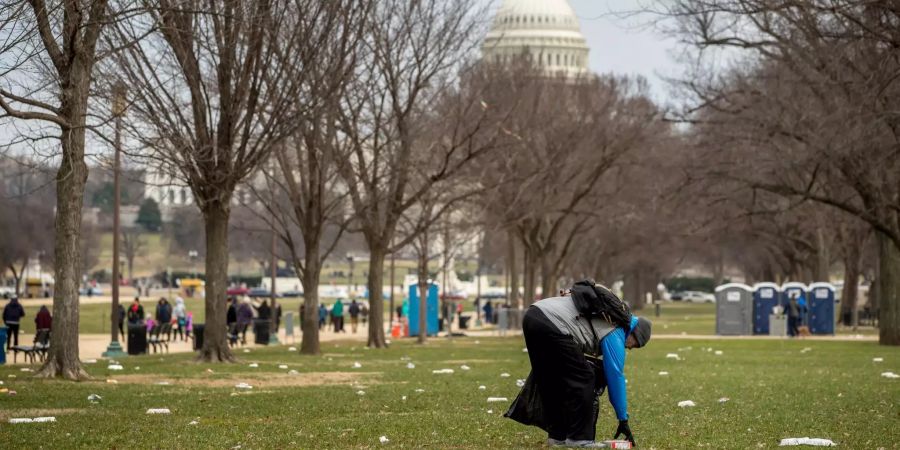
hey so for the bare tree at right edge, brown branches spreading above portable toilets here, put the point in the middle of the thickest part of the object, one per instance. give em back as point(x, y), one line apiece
point(816, 109)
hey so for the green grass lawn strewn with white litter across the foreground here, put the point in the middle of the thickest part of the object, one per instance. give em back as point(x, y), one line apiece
point(777, 389)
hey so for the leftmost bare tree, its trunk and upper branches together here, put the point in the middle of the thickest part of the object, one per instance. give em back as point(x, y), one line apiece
point(57, 40)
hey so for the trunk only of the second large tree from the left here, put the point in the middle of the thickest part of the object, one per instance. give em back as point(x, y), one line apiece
point(215, 342)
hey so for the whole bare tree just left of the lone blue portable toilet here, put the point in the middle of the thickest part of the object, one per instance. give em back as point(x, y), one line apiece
point(414, 49)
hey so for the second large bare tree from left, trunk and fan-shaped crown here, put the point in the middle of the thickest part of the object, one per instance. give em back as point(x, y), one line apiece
point(214, 87)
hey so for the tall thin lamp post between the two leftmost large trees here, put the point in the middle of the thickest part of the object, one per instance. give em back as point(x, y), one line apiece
point(118, 107)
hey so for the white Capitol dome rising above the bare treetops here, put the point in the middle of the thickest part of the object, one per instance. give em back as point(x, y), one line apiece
point(547, 31)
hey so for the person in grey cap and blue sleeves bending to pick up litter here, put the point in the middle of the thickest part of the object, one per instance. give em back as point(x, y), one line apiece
point(573, 359)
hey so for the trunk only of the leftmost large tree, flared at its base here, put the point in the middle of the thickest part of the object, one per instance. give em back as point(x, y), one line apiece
point(62, 359)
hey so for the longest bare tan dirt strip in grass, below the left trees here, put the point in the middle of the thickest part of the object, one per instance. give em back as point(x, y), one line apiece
point(257, 380)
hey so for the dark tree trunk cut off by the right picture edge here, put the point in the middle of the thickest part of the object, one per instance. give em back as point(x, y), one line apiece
point(889, 291)
